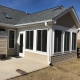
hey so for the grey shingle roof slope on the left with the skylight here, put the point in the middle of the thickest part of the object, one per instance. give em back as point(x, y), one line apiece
point(16, 15)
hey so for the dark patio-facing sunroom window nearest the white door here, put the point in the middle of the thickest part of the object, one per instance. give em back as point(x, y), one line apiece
point(29, 39)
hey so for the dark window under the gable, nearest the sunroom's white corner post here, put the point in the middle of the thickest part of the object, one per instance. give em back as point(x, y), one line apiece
point(57, 41)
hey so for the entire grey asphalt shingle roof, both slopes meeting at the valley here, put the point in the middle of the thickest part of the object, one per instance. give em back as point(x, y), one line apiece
point(20, 17)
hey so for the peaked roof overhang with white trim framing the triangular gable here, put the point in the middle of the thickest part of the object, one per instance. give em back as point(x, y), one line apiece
point(73, 14)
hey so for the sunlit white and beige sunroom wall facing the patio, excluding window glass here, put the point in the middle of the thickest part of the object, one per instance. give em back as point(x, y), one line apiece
point(34, 54)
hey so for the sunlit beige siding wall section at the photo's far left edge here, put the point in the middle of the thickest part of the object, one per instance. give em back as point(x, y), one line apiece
point(3, 45)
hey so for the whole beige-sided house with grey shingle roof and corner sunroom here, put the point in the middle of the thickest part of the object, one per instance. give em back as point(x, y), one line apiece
point(48, 36)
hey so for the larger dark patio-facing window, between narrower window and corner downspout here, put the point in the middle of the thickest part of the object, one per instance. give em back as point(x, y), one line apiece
point(42, 40)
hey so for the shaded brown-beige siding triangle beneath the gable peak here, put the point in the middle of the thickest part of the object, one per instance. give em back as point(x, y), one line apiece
point(66, 21)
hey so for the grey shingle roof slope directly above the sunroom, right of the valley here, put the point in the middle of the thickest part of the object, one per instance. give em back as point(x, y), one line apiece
point(43, 15)
